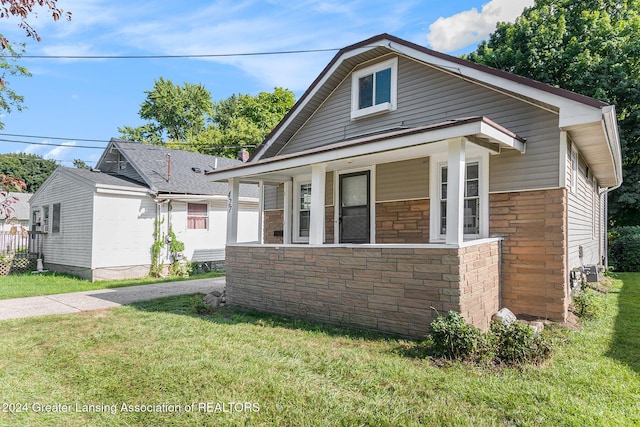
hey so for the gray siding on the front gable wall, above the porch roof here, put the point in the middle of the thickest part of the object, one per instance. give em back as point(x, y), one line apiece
point(427, 96)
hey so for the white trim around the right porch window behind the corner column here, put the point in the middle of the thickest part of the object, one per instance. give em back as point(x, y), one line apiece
point(434, 190)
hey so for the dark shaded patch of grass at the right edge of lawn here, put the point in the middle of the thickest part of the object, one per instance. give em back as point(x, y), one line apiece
point(626, 339)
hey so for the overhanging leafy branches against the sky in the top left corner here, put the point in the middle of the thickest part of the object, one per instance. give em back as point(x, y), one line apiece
point(9, 55)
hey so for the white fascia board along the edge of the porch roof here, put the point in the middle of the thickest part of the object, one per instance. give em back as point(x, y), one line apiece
point(249, 170)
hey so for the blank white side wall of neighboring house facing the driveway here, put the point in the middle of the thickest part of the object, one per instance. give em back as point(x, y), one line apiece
point(124, 232)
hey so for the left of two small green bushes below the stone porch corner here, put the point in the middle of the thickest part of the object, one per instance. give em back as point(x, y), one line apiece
point(453, 338)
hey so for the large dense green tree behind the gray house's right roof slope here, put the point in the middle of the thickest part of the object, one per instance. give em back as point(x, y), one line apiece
point(591, 47)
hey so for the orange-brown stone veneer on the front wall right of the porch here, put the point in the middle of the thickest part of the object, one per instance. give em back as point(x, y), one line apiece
point(534, 273)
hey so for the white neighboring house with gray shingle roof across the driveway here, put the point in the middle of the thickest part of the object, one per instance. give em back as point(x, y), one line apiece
point(99, 224)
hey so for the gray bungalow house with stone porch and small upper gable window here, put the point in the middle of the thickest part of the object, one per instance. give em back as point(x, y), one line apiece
point(406, 181)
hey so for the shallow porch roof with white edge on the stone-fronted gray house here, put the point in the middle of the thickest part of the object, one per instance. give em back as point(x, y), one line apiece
point(477, 130)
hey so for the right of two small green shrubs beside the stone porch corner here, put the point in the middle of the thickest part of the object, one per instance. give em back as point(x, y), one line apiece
point(518, 343)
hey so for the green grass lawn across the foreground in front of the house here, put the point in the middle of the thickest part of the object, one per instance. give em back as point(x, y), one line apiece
point(300, 374)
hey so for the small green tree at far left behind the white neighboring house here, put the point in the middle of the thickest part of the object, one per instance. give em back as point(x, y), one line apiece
point(31, 169)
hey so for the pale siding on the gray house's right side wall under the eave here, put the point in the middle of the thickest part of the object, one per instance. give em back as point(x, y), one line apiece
point(584, 220)
